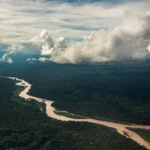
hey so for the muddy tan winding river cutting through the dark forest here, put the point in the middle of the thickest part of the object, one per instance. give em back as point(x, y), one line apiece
point(121, 128)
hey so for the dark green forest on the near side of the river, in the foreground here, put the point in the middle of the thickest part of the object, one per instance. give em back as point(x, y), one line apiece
point(23, 126)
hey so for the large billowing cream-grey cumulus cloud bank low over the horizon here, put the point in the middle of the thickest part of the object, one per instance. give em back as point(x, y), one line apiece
point(130, 40)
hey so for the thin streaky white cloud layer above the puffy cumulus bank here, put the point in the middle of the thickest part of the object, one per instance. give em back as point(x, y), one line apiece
point(21, 20)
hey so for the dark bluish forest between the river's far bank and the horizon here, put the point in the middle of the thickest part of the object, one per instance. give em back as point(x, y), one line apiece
point(118, 91)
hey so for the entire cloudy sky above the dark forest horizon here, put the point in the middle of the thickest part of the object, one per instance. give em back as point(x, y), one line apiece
point(70, 31)
